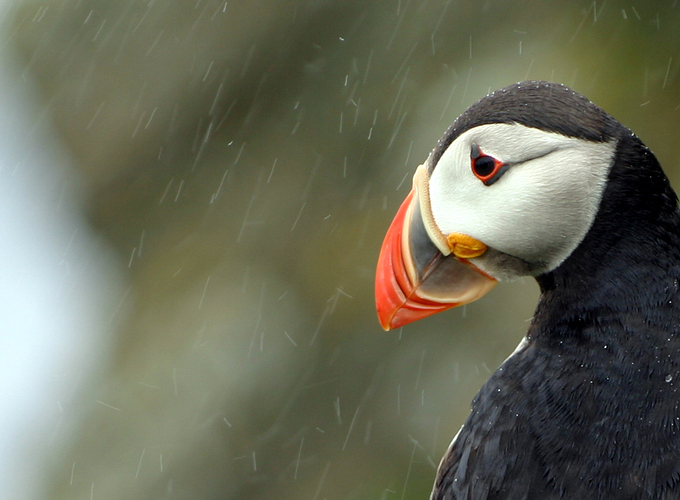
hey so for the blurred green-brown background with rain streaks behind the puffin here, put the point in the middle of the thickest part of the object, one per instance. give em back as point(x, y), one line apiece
point(193, 195)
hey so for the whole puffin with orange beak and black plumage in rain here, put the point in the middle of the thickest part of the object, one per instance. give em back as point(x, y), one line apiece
point(536, 180)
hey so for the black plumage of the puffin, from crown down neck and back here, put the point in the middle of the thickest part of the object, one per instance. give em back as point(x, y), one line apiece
point(589, 408)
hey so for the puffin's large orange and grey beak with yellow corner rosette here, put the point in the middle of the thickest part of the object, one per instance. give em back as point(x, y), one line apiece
point(422, 272)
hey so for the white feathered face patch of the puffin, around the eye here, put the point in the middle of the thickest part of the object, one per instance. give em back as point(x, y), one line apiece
point(539, 210)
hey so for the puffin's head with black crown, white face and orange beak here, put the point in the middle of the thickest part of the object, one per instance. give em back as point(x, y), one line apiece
point(512, 189)
